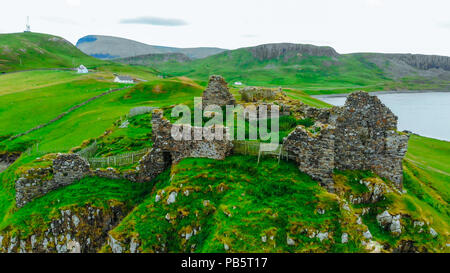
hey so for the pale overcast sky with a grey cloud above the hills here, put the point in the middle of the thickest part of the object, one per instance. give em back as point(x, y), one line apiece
point(404, 26)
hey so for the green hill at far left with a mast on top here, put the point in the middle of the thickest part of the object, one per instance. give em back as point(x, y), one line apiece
point(25, 51)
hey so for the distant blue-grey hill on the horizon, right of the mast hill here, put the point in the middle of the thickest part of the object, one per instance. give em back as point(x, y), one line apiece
point(108, 47)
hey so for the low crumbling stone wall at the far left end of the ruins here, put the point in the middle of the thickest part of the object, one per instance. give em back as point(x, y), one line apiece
point(66, 169)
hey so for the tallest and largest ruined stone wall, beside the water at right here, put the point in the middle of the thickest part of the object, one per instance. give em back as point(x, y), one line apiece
point(361, 135)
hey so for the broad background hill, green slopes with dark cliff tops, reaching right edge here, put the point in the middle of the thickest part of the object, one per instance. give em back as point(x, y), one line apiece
point(314, 68)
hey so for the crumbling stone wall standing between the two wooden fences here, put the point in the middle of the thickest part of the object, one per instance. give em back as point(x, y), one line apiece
point(167, 150)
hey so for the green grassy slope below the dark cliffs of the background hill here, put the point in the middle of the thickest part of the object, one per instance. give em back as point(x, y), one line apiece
point(342, 73)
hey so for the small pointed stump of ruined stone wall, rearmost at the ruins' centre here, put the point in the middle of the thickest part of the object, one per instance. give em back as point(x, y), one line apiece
point(217, 93)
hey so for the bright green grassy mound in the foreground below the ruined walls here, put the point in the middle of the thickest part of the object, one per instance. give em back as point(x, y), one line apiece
point(245, 202)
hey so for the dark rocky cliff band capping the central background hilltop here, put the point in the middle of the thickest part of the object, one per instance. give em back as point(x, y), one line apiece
point(286, 50)
